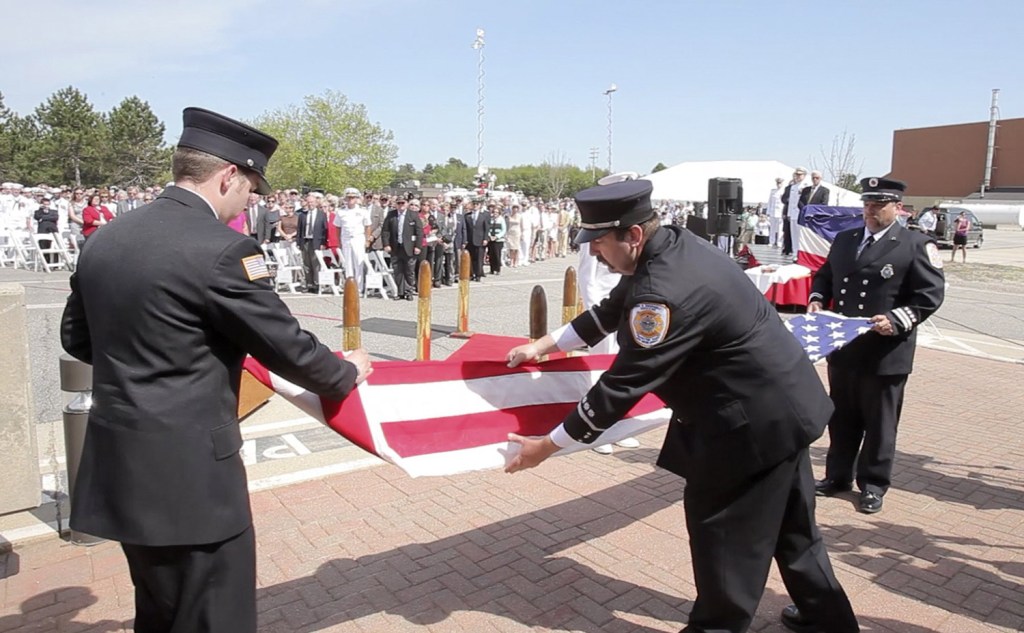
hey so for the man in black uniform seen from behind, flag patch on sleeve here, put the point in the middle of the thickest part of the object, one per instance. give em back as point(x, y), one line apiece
point(165, 306)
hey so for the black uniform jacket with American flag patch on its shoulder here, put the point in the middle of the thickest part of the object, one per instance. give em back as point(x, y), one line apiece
point(163, 308)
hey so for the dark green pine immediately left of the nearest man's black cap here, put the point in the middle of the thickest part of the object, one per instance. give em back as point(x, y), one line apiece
point(138, 152)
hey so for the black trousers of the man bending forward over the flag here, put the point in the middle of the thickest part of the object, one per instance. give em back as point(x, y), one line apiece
point(735, 535)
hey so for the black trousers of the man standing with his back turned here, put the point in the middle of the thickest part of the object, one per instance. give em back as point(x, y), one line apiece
point(195, 588)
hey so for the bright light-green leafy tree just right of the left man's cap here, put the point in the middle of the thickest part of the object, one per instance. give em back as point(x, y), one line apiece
point(329, 143)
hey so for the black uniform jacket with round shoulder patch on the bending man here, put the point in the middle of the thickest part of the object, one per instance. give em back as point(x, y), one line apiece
point(697, 332)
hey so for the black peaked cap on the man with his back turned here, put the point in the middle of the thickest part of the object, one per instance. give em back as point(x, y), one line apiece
point(230, 140)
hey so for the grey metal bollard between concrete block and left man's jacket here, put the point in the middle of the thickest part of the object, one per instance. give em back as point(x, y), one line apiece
point(76, 383)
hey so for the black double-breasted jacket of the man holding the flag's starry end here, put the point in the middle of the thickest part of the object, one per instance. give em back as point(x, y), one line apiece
point(897, 277)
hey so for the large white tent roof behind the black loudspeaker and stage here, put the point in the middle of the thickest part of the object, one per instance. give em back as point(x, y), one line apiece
point(690, 182)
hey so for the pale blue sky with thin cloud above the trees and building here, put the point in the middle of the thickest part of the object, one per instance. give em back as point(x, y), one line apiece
point(743, 80)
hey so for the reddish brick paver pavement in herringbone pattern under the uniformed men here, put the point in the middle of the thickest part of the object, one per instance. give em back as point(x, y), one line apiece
point(598, 544)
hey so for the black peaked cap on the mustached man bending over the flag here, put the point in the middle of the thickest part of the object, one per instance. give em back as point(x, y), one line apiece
point(611, 206)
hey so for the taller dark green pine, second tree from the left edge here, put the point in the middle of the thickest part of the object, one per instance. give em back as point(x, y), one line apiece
point(73, 138)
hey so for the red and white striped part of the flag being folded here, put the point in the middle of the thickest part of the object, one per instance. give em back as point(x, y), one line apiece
point(441, 418)
